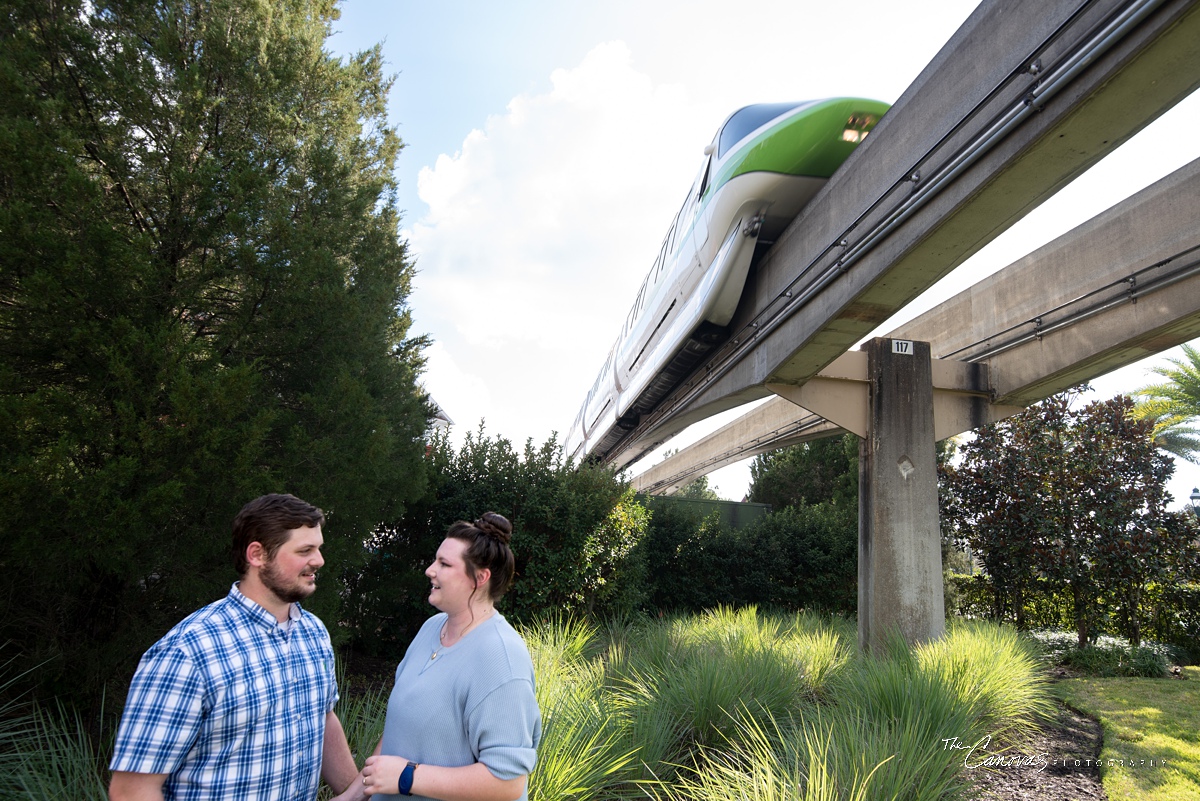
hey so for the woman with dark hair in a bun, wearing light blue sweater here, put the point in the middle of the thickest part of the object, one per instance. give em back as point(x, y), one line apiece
point(463, 721)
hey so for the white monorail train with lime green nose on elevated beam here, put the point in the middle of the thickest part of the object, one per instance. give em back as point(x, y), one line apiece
point(765, 165)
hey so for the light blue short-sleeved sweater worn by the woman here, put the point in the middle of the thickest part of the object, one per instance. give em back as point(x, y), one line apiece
point(473, 702)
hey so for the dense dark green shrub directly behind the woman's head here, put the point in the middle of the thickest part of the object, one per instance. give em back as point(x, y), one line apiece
point(574, 533)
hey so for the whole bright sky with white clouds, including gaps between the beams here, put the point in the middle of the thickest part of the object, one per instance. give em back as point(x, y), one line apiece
point(549, 146)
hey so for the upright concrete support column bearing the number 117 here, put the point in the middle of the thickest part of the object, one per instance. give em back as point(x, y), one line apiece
point(899, 539)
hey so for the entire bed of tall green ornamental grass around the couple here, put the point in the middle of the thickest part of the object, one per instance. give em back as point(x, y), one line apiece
point(710, 708)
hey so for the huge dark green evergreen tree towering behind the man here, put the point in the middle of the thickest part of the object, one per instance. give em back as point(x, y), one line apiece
point(202, 299)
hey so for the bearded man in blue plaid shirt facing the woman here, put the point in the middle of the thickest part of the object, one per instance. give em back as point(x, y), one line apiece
point(237, 701)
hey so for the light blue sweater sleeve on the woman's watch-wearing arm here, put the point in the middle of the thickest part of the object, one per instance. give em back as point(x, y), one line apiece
point(506, 728)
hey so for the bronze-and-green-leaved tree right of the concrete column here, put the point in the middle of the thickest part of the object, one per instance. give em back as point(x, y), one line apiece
point(1075, 499)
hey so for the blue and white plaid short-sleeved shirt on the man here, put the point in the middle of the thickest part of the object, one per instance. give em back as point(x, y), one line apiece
point(232, 704)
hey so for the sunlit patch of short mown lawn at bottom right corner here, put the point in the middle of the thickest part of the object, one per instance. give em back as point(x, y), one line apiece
point(1151, 734)
